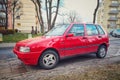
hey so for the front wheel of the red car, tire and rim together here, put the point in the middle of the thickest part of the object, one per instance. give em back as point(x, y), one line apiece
point(48, 59)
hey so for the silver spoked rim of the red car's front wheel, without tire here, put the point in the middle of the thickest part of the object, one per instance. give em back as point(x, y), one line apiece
point(49, 60)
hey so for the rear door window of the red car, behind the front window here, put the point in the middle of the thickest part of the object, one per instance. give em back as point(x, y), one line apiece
point(91, 30)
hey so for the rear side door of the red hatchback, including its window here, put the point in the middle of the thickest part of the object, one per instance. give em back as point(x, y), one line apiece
point(93, 38)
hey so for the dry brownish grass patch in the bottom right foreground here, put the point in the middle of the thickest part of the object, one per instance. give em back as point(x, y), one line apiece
point(110, 72)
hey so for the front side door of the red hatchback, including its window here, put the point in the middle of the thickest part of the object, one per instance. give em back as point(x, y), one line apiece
point(75, 44)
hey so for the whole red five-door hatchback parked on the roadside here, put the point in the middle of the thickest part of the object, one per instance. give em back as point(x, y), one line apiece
point(63, 41)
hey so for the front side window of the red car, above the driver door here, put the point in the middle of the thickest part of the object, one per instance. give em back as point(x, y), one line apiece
point(77, 30)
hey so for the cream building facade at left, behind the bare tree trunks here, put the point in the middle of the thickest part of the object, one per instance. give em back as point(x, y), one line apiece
point(25, 18)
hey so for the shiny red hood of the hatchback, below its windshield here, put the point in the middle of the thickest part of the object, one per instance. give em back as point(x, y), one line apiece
point(36, 40)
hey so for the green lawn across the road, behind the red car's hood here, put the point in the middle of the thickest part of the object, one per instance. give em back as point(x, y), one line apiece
point(17, 37)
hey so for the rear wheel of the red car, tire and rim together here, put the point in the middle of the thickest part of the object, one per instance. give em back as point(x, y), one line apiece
point(102, 51)
